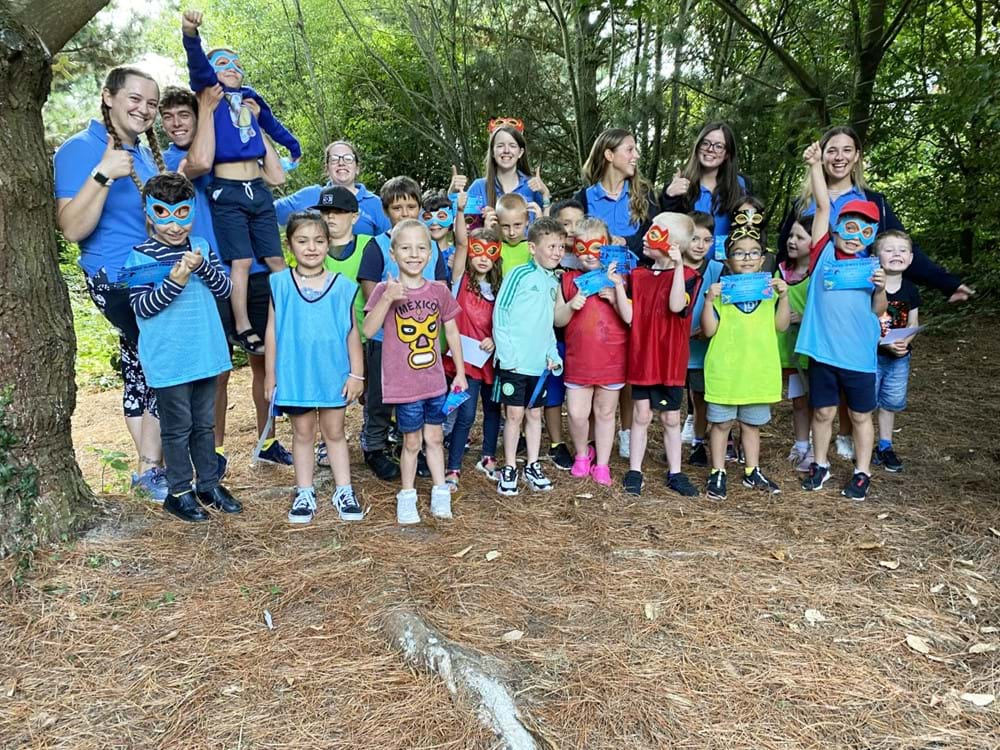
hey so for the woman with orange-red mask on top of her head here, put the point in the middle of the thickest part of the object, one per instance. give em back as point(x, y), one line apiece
point(507, 168)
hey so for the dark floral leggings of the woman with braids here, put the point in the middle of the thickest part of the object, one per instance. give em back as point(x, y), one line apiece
point(137, 397)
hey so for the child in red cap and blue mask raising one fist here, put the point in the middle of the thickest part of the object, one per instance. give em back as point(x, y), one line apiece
point(840, 332)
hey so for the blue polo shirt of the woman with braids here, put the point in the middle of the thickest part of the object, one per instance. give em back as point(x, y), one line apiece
point(122, 225)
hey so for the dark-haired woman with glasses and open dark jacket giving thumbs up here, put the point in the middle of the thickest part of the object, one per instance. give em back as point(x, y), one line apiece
point(710, 182)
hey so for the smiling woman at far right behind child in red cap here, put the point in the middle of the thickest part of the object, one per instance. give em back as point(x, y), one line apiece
point(843, 168)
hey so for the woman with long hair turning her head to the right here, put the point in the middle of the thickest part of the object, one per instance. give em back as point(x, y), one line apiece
point(617, 193)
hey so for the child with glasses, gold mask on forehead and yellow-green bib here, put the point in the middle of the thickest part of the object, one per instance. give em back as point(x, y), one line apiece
point(742, 365)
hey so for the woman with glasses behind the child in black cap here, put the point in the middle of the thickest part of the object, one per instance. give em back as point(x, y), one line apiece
point(342, 167)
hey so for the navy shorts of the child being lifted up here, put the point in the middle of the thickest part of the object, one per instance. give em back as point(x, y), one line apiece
point(246, 225)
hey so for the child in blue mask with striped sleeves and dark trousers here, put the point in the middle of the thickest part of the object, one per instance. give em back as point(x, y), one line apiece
point(174, 280)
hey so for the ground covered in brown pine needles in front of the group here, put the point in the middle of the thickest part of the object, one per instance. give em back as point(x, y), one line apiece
point(656, 623)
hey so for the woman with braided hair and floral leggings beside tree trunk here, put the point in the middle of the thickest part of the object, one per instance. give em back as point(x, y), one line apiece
point(99, 174)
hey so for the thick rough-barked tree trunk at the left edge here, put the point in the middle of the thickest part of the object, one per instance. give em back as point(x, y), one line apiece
point(42, 493)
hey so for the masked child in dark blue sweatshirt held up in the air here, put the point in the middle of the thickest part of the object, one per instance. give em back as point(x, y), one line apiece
point(242, 204)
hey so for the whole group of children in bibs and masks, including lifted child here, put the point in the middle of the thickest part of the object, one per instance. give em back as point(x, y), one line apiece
point(446, 315)
